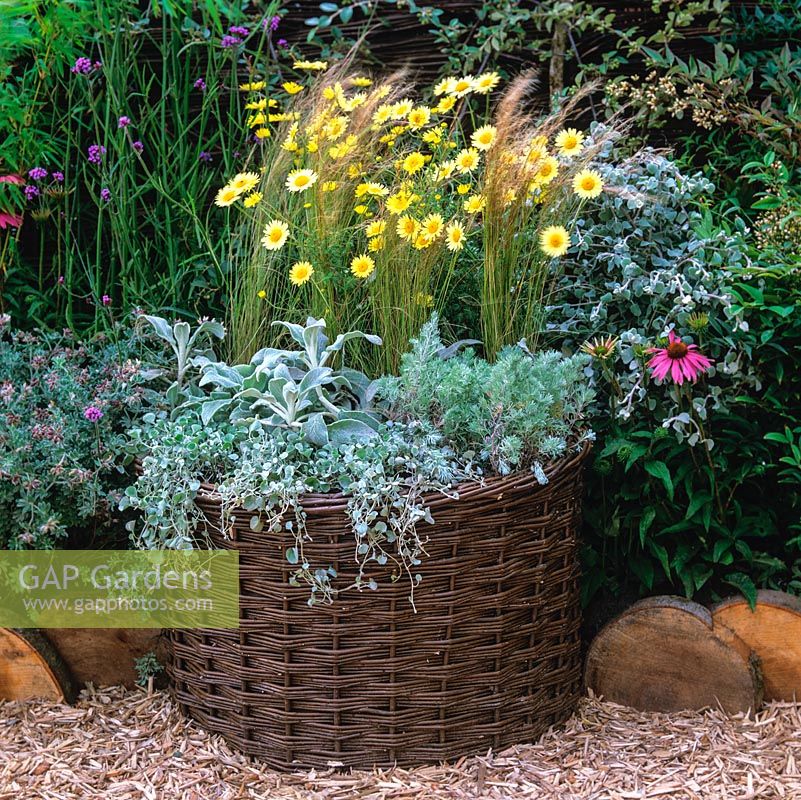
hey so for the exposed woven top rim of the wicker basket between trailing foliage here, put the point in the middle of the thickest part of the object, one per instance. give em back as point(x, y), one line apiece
point(496, 486)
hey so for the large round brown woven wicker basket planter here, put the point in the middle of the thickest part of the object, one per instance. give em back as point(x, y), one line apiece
point(491, 657)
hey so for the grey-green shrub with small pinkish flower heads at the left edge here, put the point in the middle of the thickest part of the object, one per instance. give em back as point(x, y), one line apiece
point(65, 407)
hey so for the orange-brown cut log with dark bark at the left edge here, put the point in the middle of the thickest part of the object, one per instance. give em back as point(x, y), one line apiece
point(31, 668)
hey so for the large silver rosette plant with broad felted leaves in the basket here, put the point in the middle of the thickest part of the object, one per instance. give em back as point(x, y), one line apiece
point(294, 389)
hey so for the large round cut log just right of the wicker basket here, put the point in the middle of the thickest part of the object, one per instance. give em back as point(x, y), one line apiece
point(663, 654)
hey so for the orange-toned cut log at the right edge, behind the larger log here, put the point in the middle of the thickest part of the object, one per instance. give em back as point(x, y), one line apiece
point(773, 631)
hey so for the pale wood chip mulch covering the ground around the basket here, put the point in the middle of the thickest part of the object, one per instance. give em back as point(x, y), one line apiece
point(127, 744)
